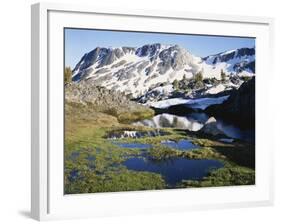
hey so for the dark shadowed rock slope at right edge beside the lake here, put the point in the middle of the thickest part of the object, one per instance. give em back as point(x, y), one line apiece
point(239, 107)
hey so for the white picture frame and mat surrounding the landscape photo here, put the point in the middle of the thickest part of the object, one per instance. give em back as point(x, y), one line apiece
point(48, 201)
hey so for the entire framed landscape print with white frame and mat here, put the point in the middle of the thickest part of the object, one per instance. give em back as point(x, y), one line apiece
point(148, 111)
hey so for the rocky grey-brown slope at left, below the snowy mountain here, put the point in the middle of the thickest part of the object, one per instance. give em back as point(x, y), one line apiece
point(100, 99)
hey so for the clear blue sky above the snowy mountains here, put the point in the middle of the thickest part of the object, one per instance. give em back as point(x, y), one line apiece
point(80, 41)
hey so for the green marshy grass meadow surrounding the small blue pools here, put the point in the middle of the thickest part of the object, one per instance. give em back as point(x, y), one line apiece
point(93, 163)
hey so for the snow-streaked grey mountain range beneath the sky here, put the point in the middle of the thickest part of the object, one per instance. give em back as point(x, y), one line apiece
point(152, 68)
